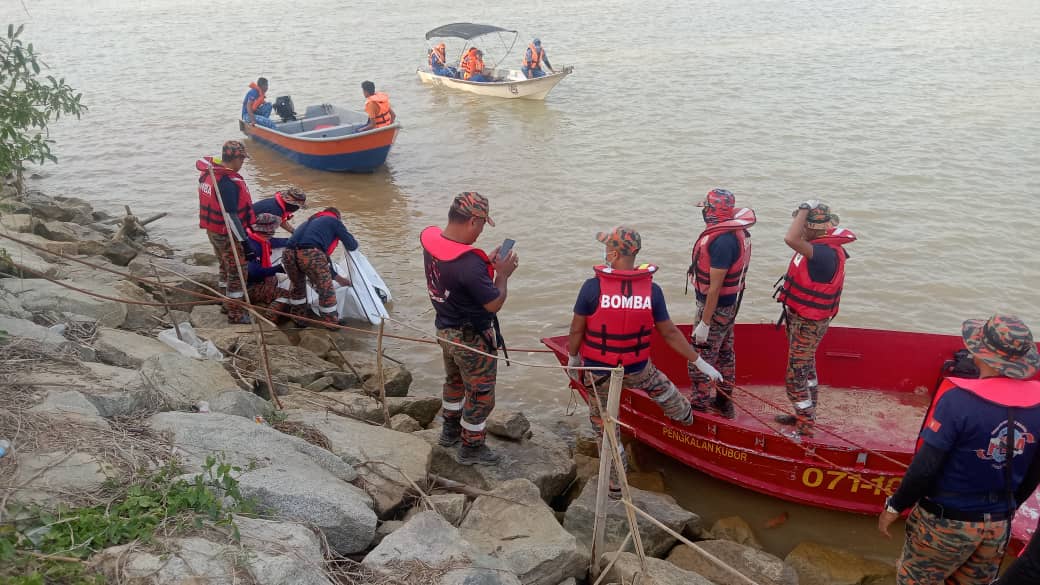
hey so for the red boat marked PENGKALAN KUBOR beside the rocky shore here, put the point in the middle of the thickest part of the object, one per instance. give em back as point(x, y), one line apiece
point(875, 389)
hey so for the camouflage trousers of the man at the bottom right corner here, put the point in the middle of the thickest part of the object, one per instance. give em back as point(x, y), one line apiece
point(940, 551)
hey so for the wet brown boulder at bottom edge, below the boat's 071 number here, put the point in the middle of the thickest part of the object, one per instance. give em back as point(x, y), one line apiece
point(820, 565)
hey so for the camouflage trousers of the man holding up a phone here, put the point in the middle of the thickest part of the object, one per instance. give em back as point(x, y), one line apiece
point(470, 383)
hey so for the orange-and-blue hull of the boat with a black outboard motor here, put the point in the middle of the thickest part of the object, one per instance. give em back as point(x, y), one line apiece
point(357, 154)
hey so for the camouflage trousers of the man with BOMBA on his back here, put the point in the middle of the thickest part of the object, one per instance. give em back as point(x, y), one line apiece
point(651, 380)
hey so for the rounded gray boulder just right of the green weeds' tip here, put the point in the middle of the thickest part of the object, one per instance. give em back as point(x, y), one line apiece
point(305, 494)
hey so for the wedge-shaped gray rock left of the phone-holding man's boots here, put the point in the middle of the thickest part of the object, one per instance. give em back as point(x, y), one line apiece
point(386, 460)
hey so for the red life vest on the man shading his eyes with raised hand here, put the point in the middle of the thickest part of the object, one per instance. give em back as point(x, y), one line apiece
point(813, 300)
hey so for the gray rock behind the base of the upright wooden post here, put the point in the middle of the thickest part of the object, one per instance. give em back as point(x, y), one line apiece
point(582, 515)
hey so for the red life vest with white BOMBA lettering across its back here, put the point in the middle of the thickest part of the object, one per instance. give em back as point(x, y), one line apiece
point(619, 330)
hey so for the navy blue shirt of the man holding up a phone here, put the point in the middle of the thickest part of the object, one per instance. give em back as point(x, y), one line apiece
point(459, 290)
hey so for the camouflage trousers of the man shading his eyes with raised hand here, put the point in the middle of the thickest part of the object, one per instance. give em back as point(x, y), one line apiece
point(803, 339)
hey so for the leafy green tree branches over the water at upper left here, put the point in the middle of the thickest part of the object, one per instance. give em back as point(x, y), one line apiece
point(29, 103)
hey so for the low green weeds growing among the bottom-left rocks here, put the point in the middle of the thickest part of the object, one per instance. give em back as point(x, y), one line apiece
point(48, 547)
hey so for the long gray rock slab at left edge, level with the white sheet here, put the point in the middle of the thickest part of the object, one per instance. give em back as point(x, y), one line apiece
point(38, 296)
